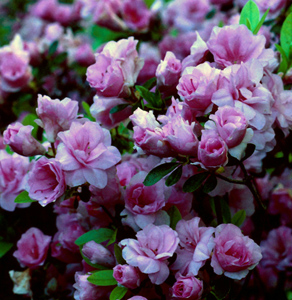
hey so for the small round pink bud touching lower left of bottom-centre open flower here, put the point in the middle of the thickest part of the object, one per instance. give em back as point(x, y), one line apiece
point(127, 275)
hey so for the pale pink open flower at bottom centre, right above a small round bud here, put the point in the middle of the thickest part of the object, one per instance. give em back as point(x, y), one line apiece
point(154, 245)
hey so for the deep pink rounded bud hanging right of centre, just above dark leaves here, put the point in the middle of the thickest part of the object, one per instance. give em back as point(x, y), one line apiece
point(212, 151)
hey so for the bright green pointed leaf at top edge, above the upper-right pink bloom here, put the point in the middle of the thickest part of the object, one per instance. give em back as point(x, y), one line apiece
point(250, 15)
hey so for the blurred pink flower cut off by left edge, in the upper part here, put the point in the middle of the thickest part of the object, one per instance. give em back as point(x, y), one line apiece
point(15, 72)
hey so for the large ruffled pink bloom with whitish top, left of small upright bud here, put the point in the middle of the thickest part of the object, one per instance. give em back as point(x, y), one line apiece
point(116, 68)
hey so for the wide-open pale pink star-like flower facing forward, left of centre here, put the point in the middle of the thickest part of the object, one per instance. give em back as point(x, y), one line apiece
point(86, 154)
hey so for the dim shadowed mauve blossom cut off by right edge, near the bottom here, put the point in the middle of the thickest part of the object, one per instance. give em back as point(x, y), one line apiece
point(277, 249)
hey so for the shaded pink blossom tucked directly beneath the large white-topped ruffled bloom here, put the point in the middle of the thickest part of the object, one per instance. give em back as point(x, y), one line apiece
point(100, 110)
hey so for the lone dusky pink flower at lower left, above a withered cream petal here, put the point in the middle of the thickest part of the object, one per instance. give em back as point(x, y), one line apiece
point(32, 248)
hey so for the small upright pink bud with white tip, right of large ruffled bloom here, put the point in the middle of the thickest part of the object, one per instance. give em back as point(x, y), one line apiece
point(168, 71)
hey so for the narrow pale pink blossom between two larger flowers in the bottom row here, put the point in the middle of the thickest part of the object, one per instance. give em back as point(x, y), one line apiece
point(195, 246)
